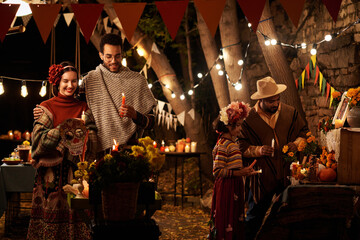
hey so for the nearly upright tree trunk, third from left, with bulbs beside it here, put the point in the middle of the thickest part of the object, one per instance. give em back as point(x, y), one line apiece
point(230, 35)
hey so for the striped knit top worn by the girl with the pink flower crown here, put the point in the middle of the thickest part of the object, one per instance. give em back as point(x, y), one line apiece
point(226, 157)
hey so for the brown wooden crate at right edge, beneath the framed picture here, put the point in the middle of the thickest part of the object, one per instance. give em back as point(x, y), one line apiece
point(349, 159)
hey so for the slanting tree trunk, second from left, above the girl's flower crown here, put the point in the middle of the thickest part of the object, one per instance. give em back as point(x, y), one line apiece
point(211, 53)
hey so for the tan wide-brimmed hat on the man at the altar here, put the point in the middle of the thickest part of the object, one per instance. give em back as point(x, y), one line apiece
point(267, 87)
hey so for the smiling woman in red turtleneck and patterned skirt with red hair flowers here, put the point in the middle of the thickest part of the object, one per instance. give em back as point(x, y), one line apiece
point(51, 217)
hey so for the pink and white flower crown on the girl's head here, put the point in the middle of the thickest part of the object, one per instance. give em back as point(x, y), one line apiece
point(234, 112)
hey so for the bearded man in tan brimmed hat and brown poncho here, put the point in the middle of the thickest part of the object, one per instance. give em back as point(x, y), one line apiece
point(269, 126)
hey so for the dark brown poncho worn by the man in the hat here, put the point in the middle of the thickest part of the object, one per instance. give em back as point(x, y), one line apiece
point(256, 132)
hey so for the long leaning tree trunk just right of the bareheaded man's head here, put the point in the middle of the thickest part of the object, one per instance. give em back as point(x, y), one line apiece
point(166, 74)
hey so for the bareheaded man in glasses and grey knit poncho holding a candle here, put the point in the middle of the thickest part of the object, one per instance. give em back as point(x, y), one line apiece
point(105, 87)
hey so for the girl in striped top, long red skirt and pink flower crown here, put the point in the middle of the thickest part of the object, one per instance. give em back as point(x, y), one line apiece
point(227, 213)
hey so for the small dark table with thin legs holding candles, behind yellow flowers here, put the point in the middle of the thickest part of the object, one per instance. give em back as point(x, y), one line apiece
point(182, 156)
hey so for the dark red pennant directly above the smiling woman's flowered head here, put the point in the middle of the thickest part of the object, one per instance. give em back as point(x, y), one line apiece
point(45, 16)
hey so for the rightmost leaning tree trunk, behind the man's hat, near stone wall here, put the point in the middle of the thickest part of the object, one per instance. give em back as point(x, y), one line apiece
point(277, 63)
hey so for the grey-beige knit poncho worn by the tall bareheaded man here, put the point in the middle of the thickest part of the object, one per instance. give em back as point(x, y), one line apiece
point(104, 97)
